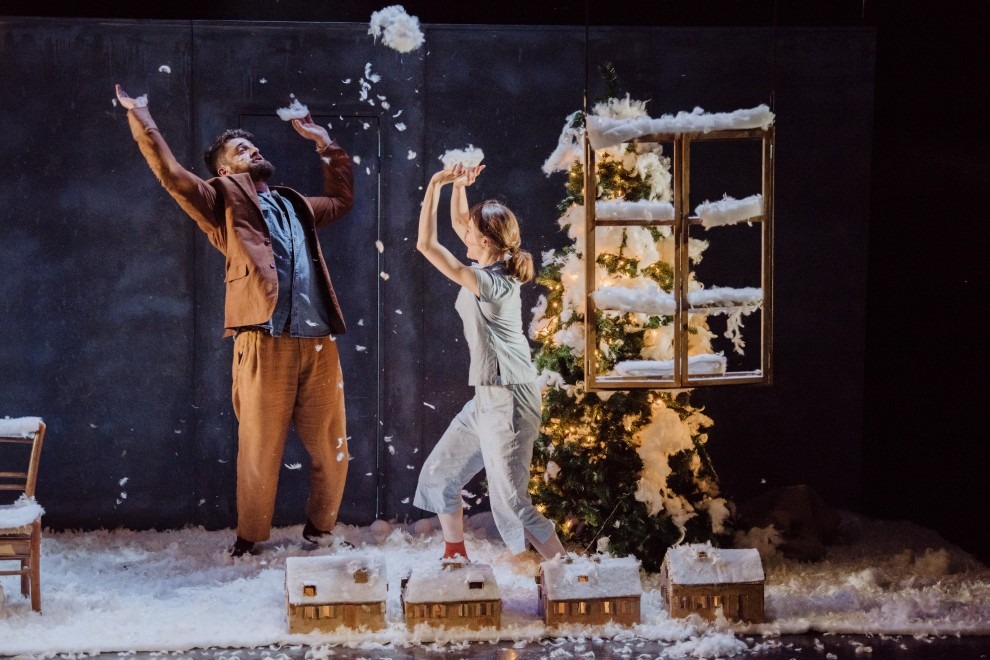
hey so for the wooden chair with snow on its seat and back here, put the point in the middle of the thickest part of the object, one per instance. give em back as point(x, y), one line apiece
point(20, 521)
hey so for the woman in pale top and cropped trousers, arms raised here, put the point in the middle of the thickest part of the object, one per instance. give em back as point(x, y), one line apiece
point(496, 429)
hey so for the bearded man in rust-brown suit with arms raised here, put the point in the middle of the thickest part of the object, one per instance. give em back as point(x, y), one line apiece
point(280, 307)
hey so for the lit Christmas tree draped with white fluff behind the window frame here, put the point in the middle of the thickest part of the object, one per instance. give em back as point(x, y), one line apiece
point(622, 471)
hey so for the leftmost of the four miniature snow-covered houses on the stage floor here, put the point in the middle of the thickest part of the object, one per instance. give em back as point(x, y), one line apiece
point(327, 593)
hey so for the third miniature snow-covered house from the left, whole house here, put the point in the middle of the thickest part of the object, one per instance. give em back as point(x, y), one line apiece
point(589, 590)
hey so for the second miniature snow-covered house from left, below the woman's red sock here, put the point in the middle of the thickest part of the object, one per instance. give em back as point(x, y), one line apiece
point(452, 594)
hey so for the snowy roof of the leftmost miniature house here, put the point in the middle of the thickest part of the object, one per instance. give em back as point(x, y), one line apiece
point(335, 579)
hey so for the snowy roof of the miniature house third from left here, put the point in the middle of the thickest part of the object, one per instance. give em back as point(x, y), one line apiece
point(576, 578)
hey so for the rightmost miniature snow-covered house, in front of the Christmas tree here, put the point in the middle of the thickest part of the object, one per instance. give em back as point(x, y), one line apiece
point(698, 579)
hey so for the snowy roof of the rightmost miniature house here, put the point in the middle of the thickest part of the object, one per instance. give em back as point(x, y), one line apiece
point(700, 563)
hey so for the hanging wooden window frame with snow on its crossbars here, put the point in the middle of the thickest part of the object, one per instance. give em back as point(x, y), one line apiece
point(689, 311)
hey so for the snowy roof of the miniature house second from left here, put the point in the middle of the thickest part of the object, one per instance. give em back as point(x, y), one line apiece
point(452, 583)
